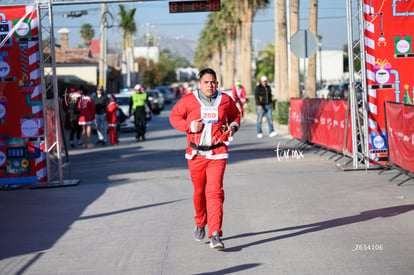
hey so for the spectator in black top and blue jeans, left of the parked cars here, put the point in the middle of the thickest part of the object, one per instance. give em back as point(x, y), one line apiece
point(101, 103)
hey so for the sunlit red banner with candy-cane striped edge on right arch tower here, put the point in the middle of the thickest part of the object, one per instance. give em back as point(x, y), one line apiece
point(390, 61)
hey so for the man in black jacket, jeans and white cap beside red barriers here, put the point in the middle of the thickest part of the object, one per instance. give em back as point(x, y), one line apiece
point(263, 97)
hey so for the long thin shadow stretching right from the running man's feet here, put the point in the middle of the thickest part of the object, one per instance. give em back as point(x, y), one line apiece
point(314, 227)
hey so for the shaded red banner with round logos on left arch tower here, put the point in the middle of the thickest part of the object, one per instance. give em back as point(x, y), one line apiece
point(21, 110)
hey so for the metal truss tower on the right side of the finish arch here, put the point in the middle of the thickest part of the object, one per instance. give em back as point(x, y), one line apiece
point(357, 79)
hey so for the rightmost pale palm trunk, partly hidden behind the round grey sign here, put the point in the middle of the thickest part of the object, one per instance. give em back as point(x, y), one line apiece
point(311, 78)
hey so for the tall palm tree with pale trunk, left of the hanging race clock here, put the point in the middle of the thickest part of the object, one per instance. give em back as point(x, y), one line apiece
point(129, 28)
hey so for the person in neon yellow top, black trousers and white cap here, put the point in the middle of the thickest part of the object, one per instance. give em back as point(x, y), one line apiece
point(137, 107)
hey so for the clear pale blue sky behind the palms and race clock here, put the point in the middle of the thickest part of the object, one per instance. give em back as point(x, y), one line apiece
point(331, 22)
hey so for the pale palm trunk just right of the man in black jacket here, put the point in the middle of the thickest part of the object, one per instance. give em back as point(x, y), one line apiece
point(281, 54)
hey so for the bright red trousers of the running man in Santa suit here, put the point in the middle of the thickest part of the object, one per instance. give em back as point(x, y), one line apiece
point(207, 177)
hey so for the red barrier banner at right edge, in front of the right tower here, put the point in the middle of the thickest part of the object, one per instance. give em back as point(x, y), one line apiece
point(400, 132)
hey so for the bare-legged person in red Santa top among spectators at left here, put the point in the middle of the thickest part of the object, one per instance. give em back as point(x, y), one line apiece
point(86, 118)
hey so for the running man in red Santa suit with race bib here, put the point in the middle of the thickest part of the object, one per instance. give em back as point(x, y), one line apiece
point(210, 118)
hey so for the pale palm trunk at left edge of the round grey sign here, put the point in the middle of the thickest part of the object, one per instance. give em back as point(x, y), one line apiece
point(294, 87)
